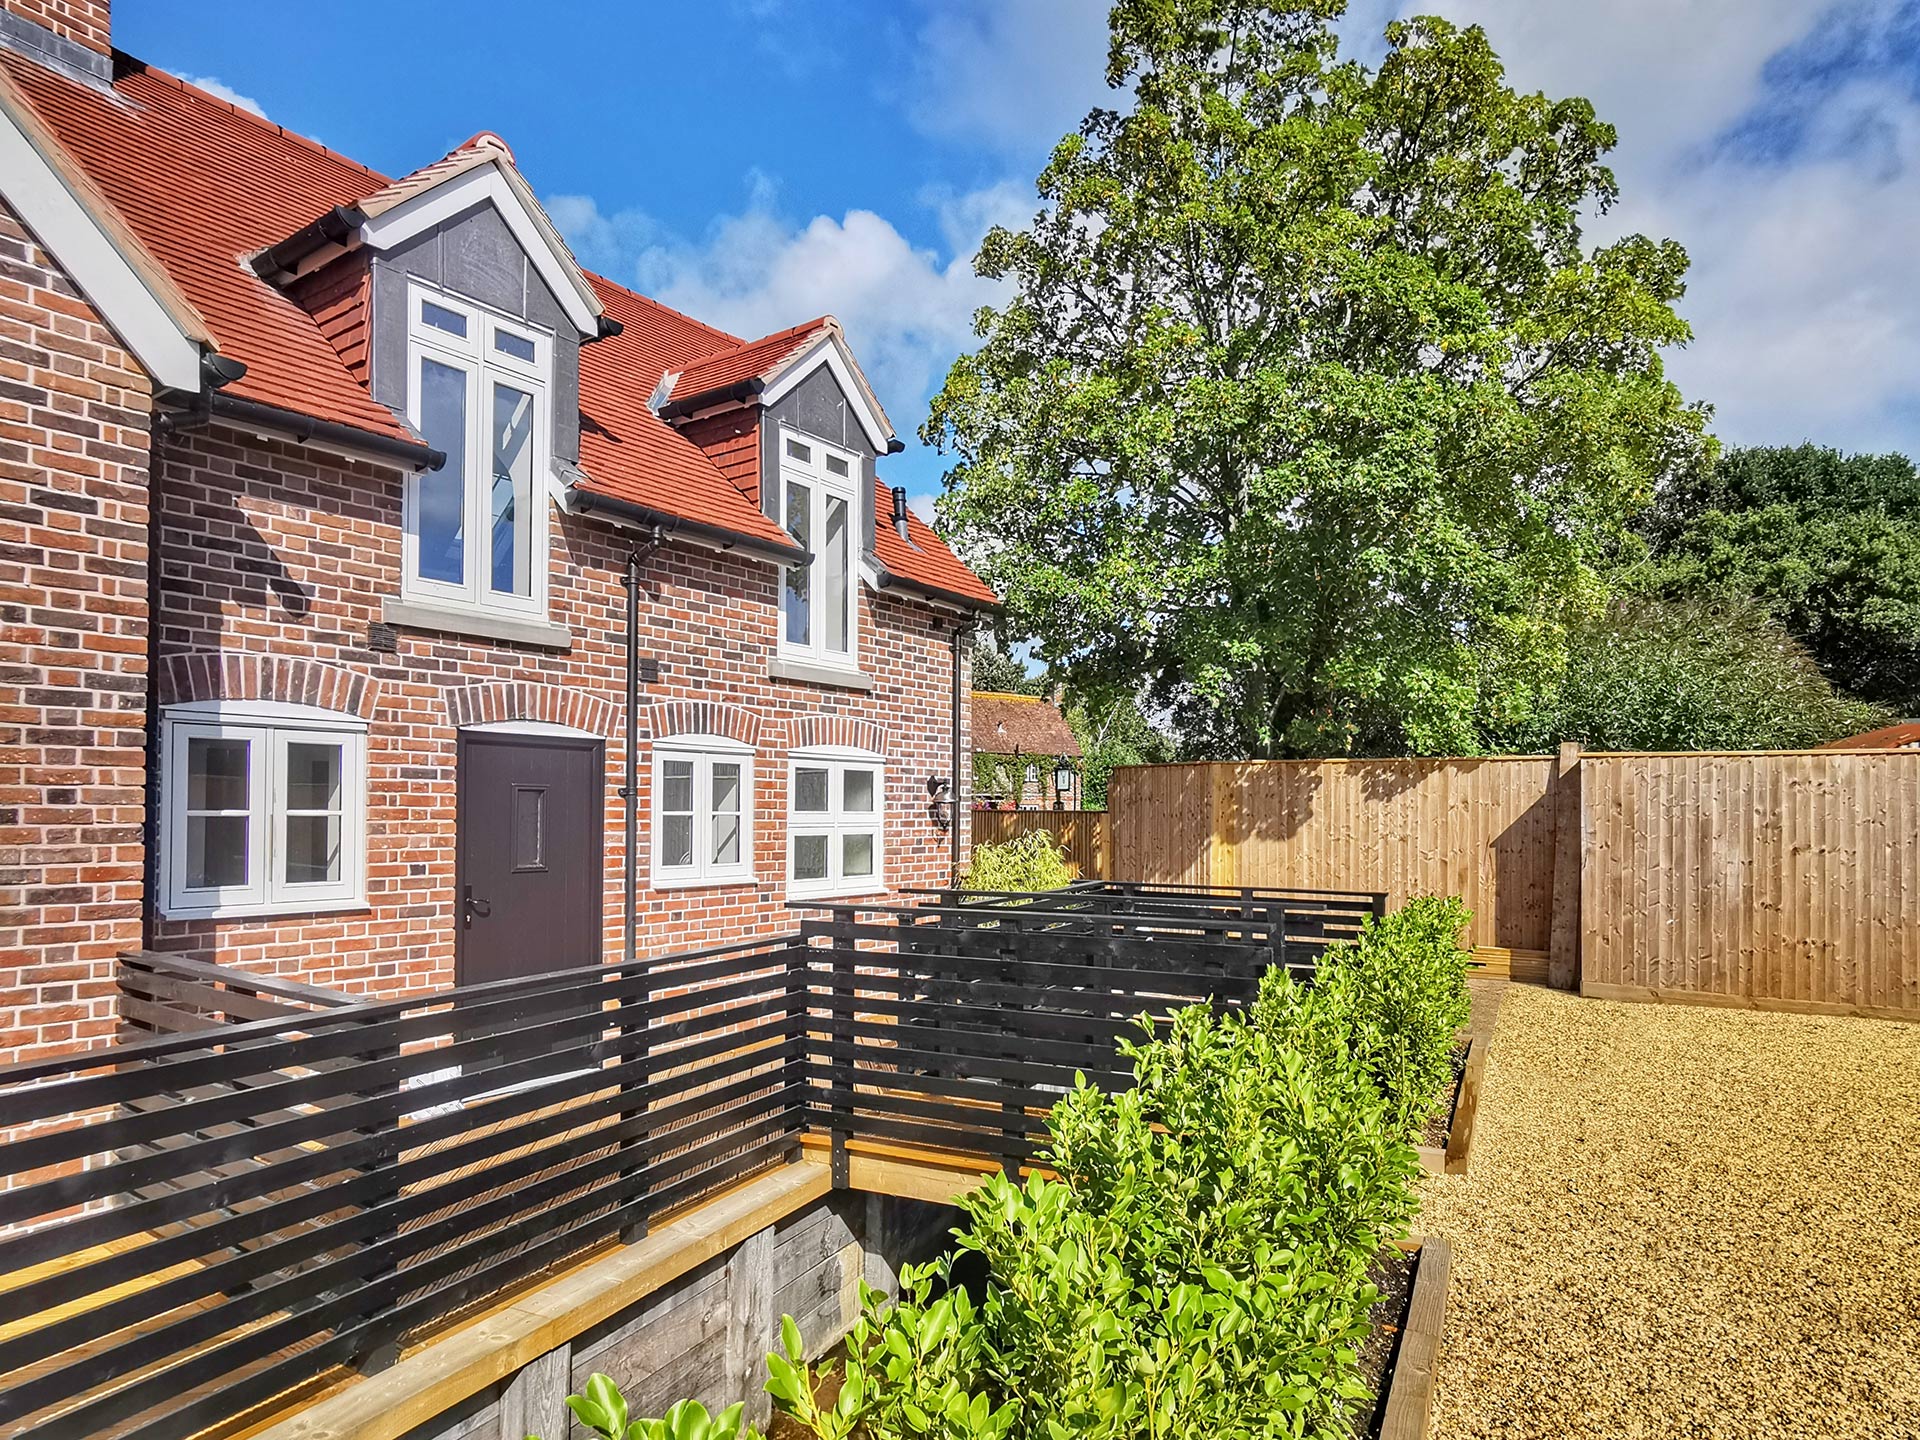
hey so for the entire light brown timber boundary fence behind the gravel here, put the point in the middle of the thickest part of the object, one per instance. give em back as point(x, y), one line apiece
point(1781, 878)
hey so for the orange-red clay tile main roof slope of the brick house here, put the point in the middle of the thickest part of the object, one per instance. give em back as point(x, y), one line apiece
point(206, 185)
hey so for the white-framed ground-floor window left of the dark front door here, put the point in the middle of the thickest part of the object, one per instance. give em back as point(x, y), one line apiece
point(266, 809)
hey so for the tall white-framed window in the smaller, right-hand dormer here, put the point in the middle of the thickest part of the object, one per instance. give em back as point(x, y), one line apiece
point(821, 510)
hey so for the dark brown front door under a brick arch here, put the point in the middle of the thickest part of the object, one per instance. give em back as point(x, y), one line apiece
point(529, 855)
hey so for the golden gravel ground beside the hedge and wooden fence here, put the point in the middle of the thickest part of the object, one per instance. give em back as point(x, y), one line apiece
point(1685, 1222)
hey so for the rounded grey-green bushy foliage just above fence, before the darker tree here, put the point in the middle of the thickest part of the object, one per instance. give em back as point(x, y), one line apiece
point(1646, 675)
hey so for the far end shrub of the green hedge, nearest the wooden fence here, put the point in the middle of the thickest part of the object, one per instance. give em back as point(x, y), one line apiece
point(1401, 999)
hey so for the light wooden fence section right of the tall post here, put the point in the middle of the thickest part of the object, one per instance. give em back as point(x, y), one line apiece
point(1771, 880)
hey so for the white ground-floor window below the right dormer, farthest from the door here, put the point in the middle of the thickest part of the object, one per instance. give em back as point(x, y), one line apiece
point(836, 823)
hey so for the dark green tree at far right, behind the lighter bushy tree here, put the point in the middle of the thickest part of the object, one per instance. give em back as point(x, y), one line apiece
point(1827, 542)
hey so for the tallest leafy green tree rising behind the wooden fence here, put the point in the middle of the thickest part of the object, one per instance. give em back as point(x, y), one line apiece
point(1308, 395)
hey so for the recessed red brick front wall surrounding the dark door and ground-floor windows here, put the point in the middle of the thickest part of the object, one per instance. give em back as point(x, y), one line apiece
point(274, 550)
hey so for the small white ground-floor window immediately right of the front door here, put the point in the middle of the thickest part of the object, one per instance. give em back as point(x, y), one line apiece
point(702, 811)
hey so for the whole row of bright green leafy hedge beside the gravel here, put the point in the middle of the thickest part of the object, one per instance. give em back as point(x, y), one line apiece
point(1201, 1264)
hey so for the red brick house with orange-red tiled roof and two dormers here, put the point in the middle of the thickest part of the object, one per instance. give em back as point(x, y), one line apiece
point(320, 494)
